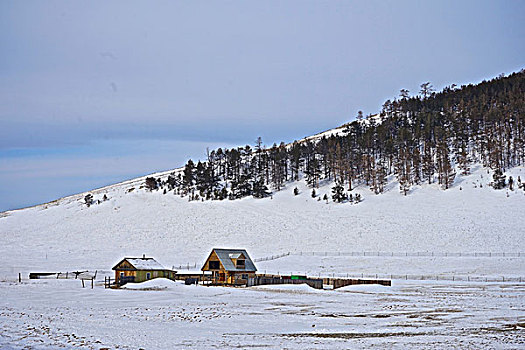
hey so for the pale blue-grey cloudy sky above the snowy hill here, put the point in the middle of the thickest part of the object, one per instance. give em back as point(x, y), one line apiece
point(92, 93)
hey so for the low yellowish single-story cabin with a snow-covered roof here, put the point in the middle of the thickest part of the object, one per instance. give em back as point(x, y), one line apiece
point(140, 270)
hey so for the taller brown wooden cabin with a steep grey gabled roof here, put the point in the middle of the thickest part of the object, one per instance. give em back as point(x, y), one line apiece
point(230, 266)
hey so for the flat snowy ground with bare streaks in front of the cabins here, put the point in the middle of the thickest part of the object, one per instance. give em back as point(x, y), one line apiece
point(60, 314)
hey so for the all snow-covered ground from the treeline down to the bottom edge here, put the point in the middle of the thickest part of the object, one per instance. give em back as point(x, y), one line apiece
point(465, 301)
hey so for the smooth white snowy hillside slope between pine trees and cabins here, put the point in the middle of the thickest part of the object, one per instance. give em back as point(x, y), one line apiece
point(69, 235)
